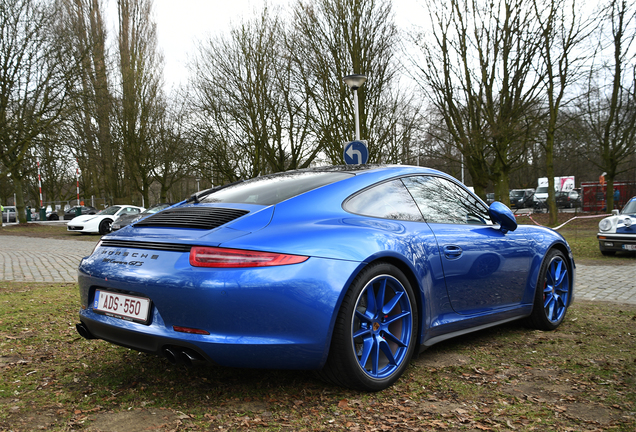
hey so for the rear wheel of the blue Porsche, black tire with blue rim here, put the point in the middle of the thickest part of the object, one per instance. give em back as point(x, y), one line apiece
point(371, 347)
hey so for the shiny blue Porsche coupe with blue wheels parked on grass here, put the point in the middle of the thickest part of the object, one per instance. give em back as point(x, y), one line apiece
point(345, 270)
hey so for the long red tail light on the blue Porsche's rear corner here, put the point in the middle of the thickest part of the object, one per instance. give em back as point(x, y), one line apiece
point(201, 256)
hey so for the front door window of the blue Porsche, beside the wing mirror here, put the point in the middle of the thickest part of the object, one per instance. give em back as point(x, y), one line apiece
point(442, 201)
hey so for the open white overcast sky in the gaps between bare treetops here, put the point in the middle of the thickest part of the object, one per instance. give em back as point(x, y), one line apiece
point(181, 23)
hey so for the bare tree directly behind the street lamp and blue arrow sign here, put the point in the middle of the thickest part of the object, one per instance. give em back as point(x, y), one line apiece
point(335, 38)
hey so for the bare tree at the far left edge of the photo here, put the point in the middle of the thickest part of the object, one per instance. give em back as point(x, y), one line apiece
point(34, 74)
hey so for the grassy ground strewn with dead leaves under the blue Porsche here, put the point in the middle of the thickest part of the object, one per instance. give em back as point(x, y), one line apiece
point(580, 377)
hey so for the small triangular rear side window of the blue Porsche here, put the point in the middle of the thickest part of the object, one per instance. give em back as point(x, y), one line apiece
point(388, 200)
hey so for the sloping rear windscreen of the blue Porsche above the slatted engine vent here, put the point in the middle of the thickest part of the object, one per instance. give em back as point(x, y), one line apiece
point(273, 189)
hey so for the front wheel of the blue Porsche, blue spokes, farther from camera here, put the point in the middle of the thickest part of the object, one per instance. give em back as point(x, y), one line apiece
point(553, 292)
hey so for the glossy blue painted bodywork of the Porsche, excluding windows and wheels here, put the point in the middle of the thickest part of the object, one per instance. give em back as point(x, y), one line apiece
point(465, 276)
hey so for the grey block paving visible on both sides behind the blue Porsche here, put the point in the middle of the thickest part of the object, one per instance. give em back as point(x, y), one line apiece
point(27, 259)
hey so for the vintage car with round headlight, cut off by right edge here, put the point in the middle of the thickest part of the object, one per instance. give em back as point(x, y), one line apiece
point(618, 232)
